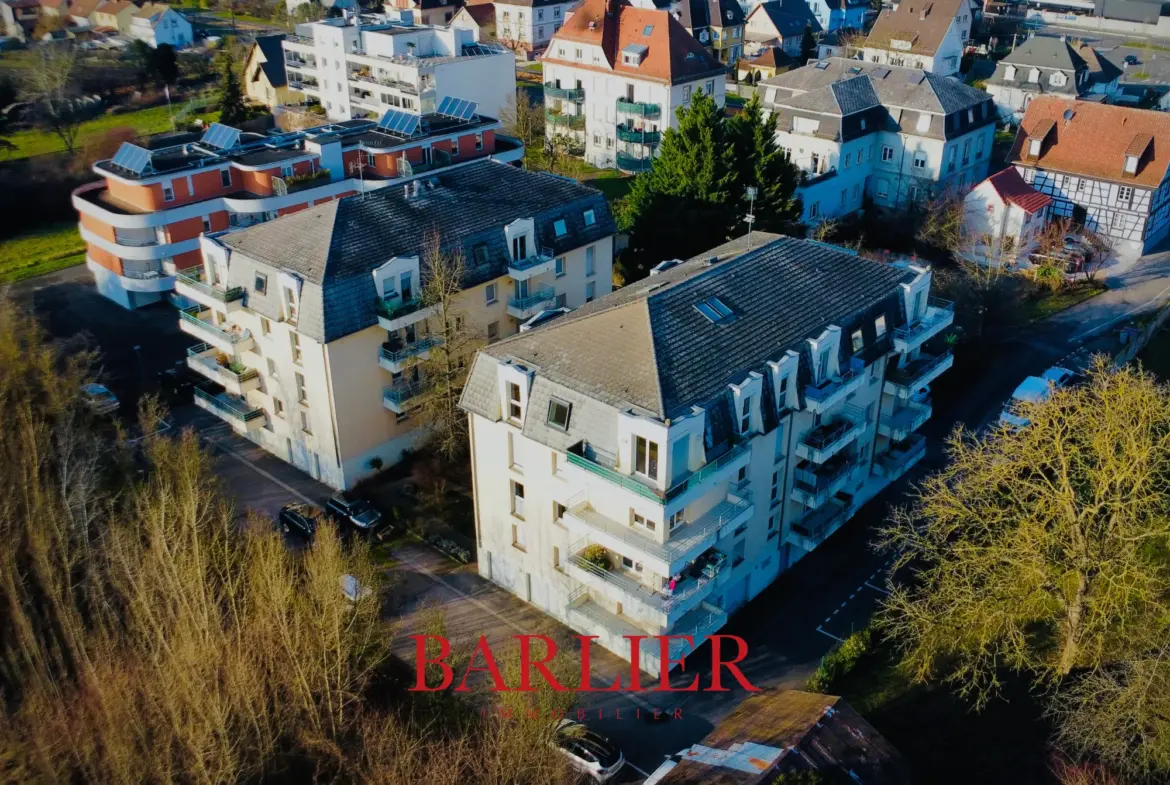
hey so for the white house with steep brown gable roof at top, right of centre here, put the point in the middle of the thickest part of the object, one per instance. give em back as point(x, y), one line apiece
point(927, 35)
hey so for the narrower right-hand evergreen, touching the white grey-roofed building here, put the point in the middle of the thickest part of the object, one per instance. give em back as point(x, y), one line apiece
point(761, 163)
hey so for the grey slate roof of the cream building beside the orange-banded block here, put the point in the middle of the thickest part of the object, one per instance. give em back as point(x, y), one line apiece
point(335, 247)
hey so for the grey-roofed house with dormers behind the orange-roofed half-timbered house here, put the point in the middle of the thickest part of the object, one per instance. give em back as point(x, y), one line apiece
point(1047, 66)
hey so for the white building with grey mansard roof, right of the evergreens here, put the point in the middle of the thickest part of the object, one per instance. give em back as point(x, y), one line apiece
point(897, 136)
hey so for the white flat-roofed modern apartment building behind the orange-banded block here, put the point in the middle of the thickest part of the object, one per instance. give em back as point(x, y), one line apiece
point(362, 66)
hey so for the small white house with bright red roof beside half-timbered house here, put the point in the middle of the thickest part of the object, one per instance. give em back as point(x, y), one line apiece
point(1002, 216)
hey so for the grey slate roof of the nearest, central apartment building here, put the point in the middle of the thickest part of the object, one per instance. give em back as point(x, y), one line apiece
point(648, 347)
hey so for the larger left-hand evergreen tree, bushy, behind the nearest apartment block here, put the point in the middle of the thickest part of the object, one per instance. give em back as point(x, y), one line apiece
point(686, 203)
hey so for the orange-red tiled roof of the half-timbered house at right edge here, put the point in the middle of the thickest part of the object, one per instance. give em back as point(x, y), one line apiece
point(1093, 142)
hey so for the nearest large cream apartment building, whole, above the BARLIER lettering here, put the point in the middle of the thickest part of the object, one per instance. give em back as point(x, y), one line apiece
point(651, 463)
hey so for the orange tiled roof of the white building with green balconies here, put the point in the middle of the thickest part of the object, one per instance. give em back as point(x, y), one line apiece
point(673, 54)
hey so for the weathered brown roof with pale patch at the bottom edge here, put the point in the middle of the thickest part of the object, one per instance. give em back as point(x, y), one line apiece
point(787, 733)
